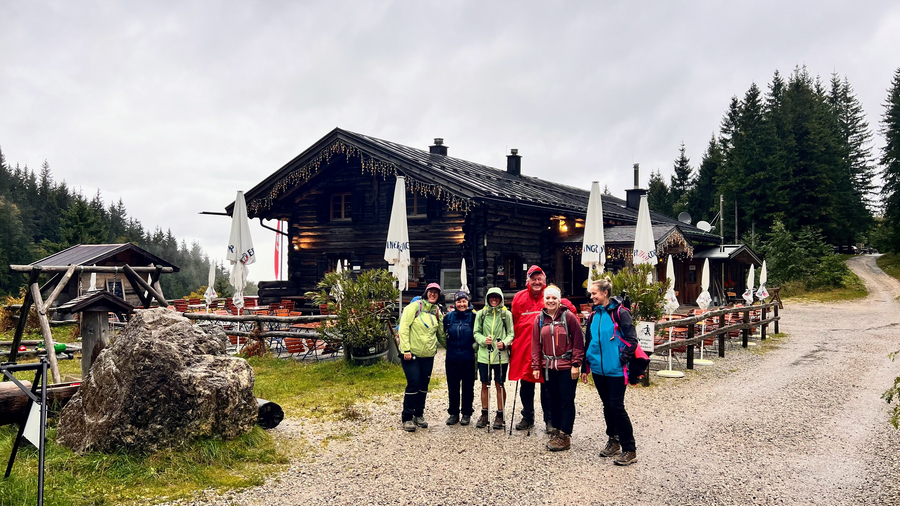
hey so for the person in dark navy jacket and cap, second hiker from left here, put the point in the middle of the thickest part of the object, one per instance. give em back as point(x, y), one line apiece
point(459, 327)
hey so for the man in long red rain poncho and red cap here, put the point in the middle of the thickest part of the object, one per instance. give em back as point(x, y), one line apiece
point(526, 306)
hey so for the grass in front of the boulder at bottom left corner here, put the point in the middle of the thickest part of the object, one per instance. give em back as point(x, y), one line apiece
point(99, 479)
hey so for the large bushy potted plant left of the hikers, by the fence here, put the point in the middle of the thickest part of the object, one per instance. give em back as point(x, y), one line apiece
point(363, 305)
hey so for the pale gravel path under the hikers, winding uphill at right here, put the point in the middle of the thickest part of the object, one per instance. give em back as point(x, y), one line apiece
point(799, 420)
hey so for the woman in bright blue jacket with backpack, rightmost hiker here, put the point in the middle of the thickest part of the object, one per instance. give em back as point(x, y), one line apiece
point(610, 341)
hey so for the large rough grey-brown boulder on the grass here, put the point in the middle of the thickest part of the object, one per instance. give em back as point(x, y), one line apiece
point(161, 383)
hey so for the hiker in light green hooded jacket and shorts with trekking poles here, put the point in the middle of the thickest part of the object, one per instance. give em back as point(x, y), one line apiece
point(493, 334)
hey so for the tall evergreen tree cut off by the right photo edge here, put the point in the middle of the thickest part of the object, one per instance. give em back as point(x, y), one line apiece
point(890, 161)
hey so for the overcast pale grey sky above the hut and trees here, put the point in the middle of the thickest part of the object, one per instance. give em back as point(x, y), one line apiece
point(174, 106)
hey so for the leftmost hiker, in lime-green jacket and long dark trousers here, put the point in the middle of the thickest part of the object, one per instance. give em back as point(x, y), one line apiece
point(420, 326)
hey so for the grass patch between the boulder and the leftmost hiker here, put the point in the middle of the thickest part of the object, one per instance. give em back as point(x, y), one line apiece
point(325, 389)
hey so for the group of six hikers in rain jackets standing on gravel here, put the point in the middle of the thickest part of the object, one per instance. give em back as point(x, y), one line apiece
point(539, 340)
